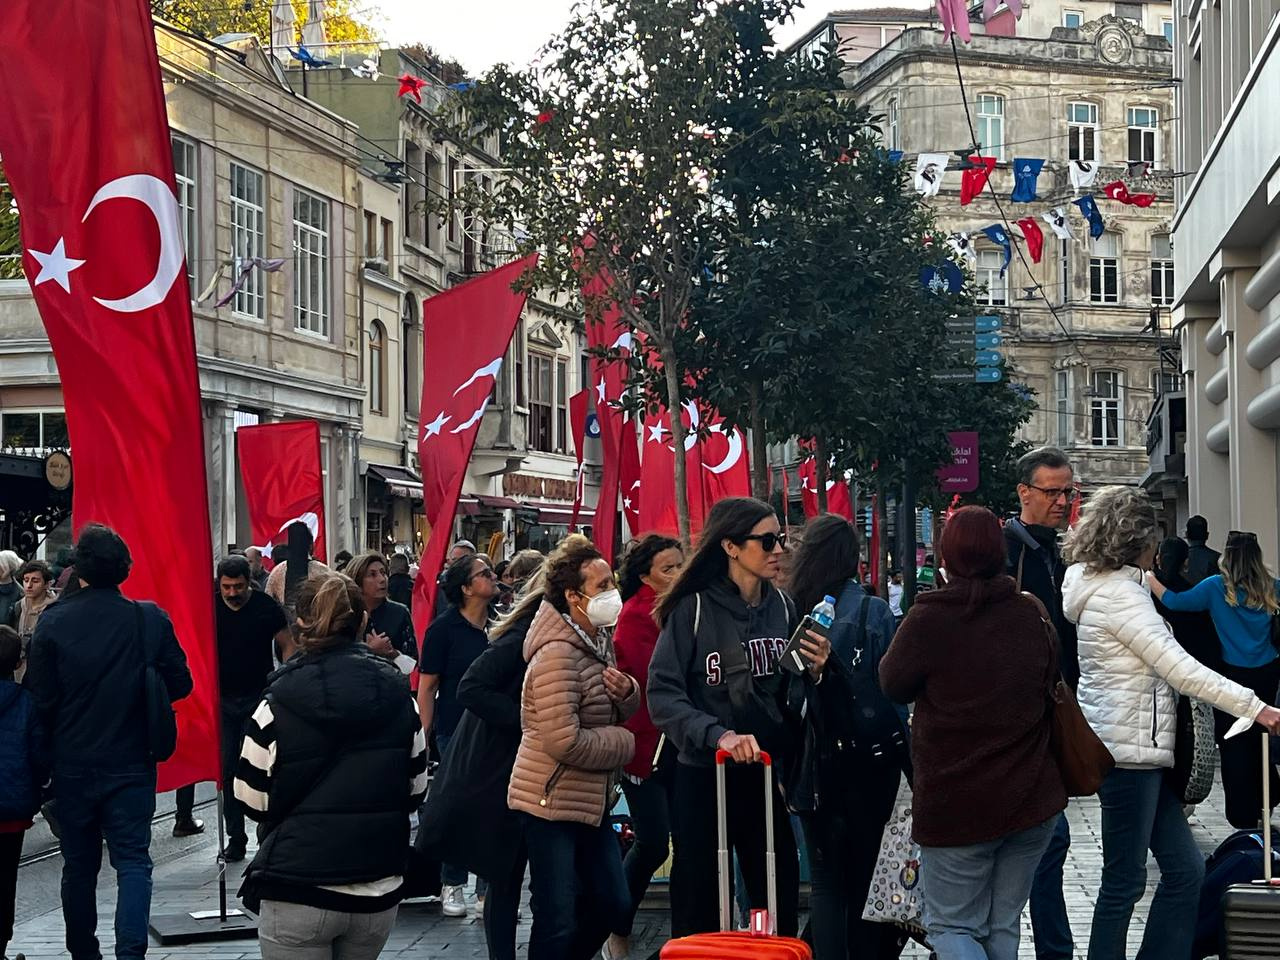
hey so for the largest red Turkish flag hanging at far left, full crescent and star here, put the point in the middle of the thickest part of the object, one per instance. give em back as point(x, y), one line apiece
point(92, 168)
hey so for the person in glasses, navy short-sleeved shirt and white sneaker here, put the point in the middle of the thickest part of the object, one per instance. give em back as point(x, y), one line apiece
point(452, 643)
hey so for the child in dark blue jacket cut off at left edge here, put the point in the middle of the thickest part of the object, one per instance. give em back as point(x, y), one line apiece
point(24, 771)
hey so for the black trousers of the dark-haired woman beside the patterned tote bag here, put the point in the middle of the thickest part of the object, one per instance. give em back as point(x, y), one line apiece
point(844, 847)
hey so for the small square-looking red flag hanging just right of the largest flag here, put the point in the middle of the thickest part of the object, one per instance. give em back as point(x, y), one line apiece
point(284, 482)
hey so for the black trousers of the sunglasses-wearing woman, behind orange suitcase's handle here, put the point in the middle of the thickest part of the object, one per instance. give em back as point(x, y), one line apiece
point(694, 871)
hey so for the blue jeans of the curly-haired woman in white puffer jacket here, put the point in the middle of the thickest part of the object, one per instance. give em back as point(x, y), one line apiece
point(1141, 813)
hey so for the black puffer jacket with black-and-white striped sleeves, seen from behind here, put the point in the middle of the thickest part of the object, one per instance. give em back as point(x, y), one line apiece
point(340, 794)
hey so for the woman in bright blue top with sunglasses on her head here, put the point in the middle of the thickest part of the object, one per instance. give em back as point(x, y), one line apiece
point(1242, 601)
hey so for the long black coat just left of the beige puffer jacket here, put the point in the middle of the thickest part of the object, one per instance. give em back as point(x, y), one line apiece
point(467, 820)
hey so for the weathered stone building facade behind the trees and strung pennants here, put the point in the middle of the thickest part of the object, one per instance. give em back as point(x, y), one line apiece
point(1078, 323)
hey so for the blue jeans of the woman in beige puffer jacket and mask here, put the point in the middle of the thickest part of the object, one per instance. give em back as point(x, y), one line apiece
point(578, 892)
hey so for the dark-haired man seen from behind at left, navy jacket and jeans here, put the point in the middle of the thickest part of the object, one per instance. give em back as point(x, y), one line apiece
point(85, 673)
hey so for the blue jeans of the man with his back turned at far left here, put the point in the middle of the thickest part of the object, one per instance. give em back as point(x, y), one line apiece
point(117, 807)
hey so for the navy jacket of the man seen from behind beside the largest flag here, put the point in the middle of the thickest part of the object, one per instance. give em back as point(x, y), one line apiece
point(85, 671)
